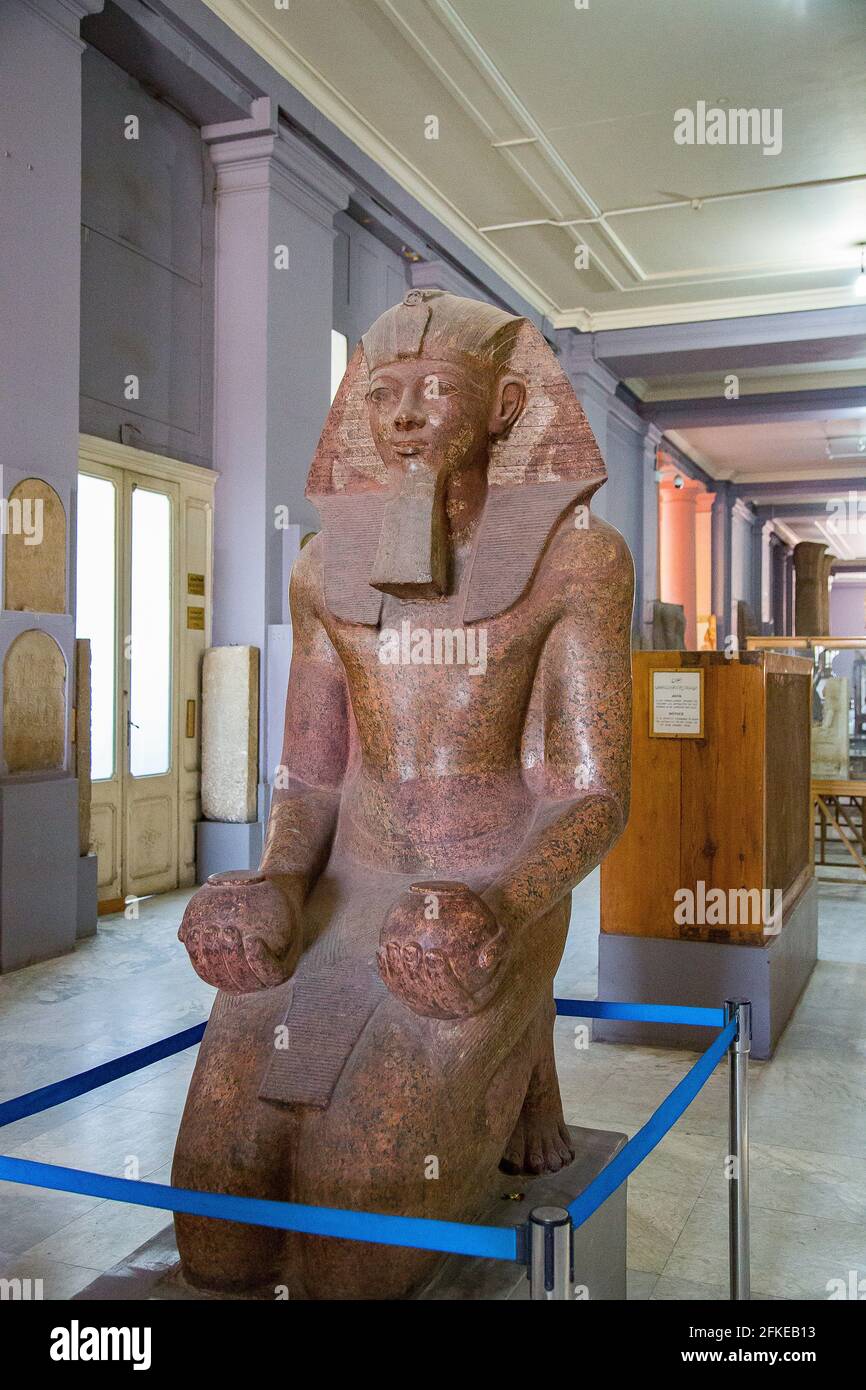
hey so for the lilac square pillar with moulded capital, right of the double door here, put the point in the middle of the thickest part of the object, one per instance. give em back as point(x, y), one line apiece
point(276, 202)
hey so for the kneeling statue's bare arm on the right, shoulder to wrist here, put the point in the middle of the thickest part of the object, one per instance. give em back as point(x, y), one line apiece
point(586, 705)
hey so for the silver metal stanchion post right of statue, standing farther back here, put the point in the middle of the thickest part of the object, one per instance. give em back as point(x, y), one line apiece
point(739, 1147)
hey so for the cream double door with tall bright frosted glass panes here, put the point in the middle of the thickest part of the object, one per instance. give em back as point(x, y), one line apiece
point(144, 601)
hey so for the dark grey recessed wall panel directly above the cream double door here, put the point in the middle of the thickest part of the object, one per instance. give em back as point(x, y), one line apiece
point(148, 230)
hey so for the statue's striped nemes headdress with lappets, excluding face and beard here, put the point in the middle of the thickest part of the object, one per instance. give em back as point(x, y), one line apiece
point(547, 464)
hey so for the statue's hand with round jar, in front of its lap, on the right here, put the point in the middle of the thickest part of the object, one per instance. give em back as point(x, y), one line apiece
point(441, 951)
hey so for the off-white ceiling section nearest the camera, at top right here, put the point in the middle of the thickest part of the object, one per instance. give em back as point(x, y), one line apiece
point(593, 95)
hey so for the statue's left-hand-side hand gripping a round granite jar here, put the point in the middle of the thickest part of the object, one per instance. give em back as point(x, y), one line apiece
point(243, 932)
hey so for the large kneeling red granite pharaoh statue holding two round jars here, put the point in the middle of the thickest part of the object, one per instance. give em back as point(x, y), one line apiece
point(457, 760)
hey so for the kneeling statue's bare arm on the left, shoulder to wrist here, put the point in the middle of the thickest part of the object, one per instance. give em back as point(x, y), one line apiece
point(316, 742)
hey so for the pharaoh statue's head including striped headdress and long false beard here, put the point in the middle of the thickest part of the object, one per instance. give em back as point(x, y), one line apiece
point(448, 408)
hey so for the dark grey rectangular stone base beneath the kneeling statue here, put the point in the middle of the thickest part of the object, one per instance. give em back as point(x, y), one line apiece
point(152, 1273)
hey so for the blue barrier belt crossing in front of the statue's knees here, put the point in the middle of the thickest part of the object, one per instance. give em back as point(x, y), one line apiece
point(380, 1229)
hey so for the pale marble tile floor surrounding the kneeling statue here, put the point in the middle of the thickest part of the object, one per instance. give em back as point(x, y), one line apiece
point(131, 985)
